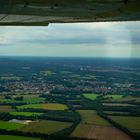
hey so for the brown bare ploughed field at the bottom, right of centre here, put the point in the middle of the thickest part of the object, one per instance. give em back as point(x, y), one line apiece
point(99, 133)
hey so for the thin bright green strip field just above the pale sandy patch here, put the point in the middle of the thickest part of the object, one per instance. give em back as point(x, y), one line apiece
point(27, 114)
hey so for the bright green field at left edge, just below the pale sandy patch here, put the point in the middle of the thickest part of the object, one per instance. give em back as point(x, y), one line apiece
point(10, 125)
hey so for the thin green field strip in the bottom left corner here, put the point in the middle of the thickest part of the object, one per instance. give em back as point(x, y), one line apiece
point(10, 137)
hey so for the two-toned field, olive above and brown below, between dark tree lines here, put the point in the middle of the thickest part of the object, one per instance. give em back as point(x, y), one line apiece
point(92, 126)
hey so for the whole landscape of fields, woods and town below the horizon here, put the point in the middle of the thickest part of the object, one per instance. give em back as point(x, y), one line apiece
point(75, 99)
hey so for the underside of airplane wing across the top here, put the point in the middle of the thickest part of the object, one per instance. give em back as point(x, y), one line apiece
point(43, 12)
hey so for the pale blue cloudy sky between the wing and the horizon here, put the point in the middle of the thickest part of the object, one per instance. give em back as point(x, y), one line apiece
point(100, 39)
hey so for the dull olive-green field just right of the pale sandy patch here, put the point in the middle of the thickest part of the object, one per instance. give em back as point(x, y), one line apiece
point(45, 127)
